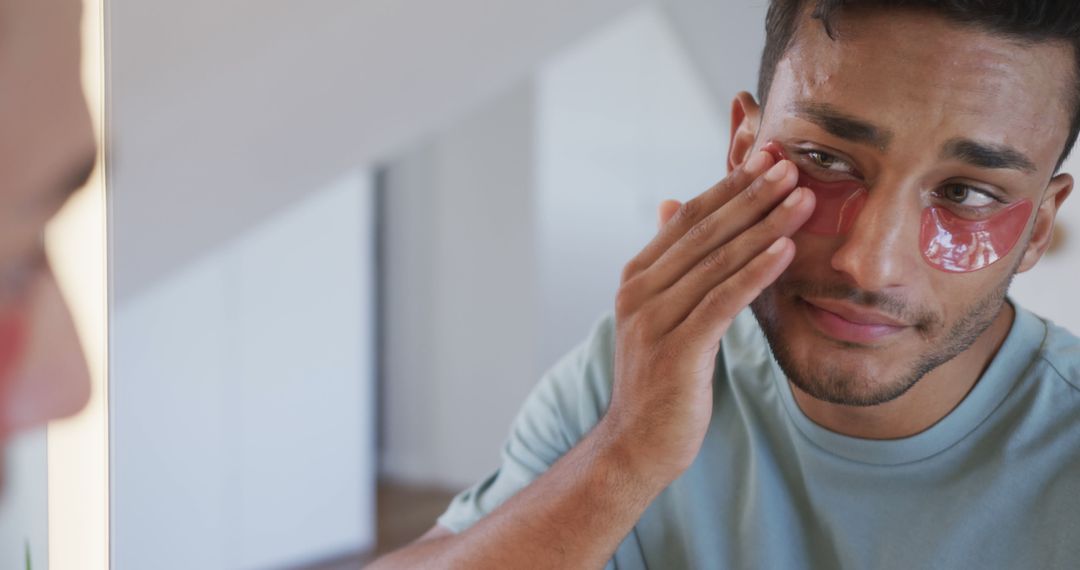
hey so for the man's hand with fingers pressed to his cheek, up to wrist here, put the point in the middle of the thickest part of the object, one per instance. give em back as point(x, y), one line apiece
point(712, 257)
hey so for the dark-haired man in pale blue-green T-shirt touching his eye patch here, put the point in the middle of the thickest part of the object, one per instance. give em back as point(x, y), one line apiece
point(884, 405)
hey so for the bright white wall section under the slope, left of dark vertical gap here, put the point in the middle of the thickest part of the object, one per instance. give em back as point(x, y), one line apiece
point(241, 398)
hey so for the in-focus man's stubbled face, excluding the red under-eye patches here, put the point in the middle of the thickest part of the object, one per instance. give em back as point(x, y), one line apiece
point(859, 318)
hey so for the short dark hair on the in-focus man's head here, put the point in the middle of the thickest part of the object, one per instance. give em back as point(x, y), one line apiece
point(1025, 21)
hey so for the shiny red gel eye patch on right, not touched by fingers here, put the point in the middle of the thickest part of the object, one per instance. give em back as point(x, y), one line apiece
point(958, 246)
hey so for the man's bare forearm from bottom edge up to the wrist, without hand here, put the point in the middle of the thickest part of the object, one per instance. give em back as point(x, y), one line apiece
point(574, 517)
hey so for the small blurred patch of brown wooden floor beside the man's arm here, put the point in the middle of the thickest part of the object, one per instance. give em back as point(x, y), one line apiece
point(404, 513)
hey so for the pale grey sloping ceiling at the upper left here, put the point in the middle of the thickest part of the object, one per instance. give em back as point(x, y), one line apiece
point(283, 96)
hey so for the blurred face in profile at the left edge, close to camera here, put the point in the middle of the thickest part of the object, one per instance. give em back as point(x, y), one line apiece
point(47, 152)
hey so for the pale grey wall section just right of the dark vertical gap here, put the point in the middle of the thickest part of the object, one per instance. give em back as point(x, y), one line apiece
point(461, 286)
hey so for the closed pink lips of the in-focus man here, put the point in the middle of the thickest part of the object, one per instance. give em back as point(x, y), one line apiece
point(850, 323)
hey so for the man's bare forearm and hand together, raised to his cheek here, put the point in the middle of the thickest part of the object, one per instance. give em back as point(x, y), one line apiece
point(677, 300)
